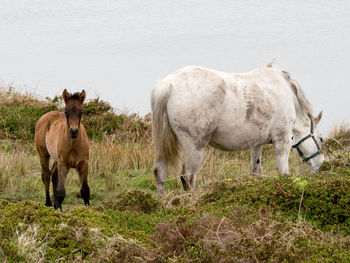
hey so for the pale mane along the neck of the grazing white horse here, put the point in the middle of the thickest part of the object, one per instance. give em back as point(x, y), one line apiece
point(303, 106)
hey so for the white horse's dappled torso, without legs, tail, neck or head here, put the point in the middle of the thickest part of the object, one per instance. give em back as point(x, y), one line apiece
point(235, 111)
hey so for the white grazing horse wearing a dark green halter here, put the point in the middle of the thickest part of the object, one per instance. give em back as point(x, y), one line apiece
point(195, 106)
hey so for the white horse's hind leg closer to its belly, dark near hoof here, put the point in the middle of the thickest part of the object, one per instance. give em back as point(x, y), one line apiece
point(193, 157)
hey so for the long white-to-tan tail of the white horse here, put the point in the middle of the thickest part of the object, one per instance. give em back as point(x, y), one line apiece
point(165, 141)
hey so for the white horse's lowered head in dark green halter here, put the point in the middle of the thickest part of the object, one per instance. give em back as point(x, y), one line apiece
point(308, 143)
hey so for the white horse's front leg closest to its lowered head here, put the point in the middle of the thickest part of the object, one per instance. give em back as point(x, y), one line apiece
point(282, 144)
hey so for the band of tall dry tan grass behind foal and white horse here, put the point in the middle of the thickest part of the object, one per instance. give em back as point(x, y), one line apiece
point(112, 158)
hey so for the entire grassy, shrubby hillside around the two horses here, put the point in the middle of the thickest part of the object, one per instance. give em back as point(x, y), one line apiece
point(232, 216)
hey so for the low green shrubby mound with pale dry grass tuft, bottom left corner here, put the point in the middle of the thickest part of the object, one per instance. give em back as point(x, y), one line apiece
point(30, 232)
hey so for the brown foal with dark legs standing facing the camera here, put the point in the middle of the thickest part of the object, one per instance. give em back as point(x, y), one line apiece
point(62, 137)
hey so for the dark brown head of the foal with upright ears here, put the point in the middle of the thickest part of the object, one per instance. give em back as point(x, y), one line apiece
point(73, 110)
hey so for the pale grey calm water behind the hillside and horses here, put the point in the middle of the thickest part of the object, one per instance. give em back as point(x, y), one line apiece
point(119, 49)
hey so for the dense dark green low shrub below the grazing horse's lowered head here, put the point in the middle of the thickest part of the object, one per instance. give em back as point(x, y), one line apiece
point(325, 201)
